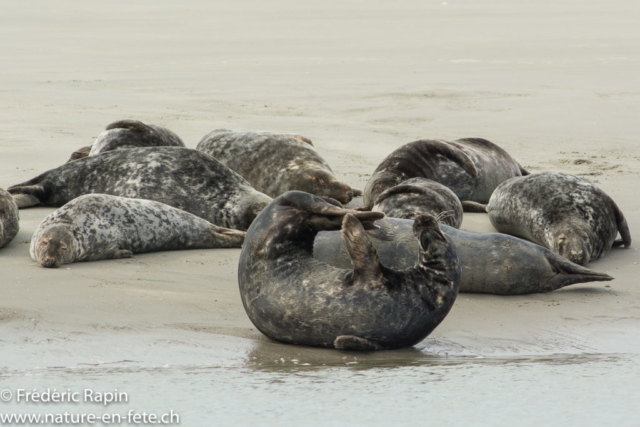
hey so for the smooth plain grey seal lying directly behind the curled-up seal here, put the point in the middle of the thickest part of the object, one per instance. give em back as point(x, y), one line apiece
point(491, 263)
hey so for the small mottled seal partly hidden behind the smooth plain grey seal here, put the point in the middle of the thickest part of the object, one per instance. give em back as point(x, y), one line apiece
point(419, 196)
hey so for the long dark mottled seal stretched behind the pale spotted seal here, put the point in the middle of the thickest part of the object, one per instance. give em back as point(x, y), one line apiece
point(180, 177)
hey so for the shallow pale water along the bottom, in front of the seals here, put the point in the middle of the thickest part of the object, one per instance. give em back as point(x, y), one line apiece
point(284, 385)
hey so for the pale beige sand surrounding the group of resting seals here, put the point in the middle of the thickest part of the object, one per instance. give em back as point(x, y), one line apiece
point(556, 83)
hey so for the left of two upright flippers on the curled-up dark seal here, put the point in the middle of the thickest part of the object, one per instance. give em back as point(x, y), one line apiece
point(364, 257)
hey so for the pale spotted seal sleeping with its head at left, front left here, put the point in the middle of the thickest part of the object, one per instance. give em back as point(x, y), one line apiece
point(100, 226)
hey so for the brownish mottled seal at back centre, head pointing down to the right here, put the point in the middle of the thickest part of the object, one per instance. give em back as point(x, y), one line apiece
point(276, 163)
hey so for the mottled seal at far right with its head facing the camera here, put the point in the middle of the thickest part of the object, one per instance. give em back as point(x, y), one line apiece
point(565, 213)
